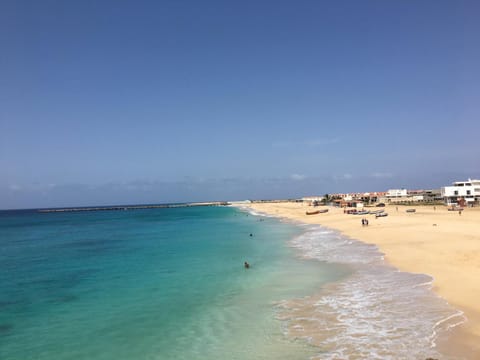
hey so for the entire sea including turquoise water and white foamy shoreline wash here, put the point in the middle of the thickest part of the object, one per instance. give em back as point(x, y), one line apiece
point(170, 284)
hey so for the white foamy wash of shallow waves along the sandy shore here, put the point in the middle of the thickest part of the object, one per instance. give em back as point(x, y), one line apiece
point(377, 312)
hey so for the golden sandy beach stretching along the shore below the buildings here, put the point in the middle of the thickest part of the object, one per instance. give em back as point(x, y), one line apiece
point(443, 244)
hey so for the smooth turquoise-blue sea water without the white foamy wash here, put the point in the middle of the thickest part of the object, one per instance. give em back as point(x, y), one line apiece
point(150, 284)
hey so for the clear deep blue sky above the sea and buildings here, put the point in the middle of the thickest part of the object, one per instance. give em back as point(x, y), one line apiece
point(126, 102)
